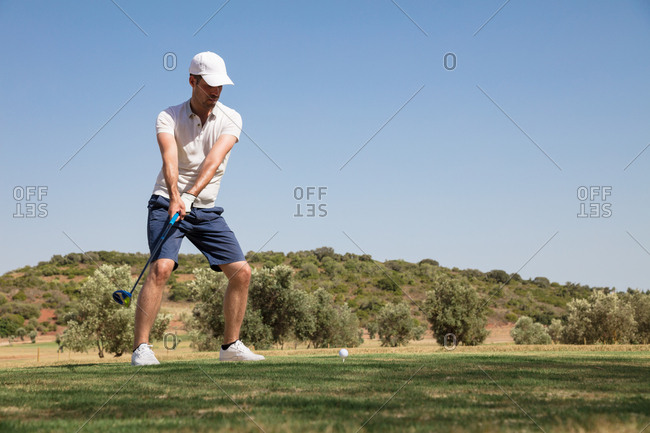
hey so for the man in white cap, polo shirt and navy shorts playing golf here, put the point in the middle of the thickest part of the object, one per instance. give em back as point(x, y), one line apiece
point(195, 140)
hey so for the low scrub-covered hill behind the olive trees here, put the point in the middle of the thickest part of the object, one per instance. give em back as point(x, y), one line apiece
point(365, 284)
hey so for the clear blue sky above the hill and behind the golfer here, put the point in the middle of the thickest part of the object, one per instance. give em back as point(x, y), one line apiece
point(450, 177)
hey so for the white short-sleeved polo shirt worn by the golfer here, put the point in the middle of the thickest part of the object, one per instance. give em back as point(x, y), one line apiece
point(194, 142)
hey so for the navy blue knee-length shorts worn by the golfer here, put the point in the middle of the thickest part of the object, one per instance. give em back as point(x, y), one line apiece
point(205, 228)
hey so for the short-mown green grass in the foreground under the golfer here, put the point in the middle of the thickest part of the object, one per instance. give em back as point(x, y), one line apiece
point(484, 389)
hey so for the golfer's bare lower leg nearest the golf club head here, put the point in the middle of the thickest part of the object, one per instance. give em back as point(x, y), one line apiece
point(150, 298)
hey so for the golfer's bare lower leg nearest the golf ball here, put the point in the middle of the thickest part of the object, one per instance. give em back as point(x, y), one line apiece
point(234, 304)
